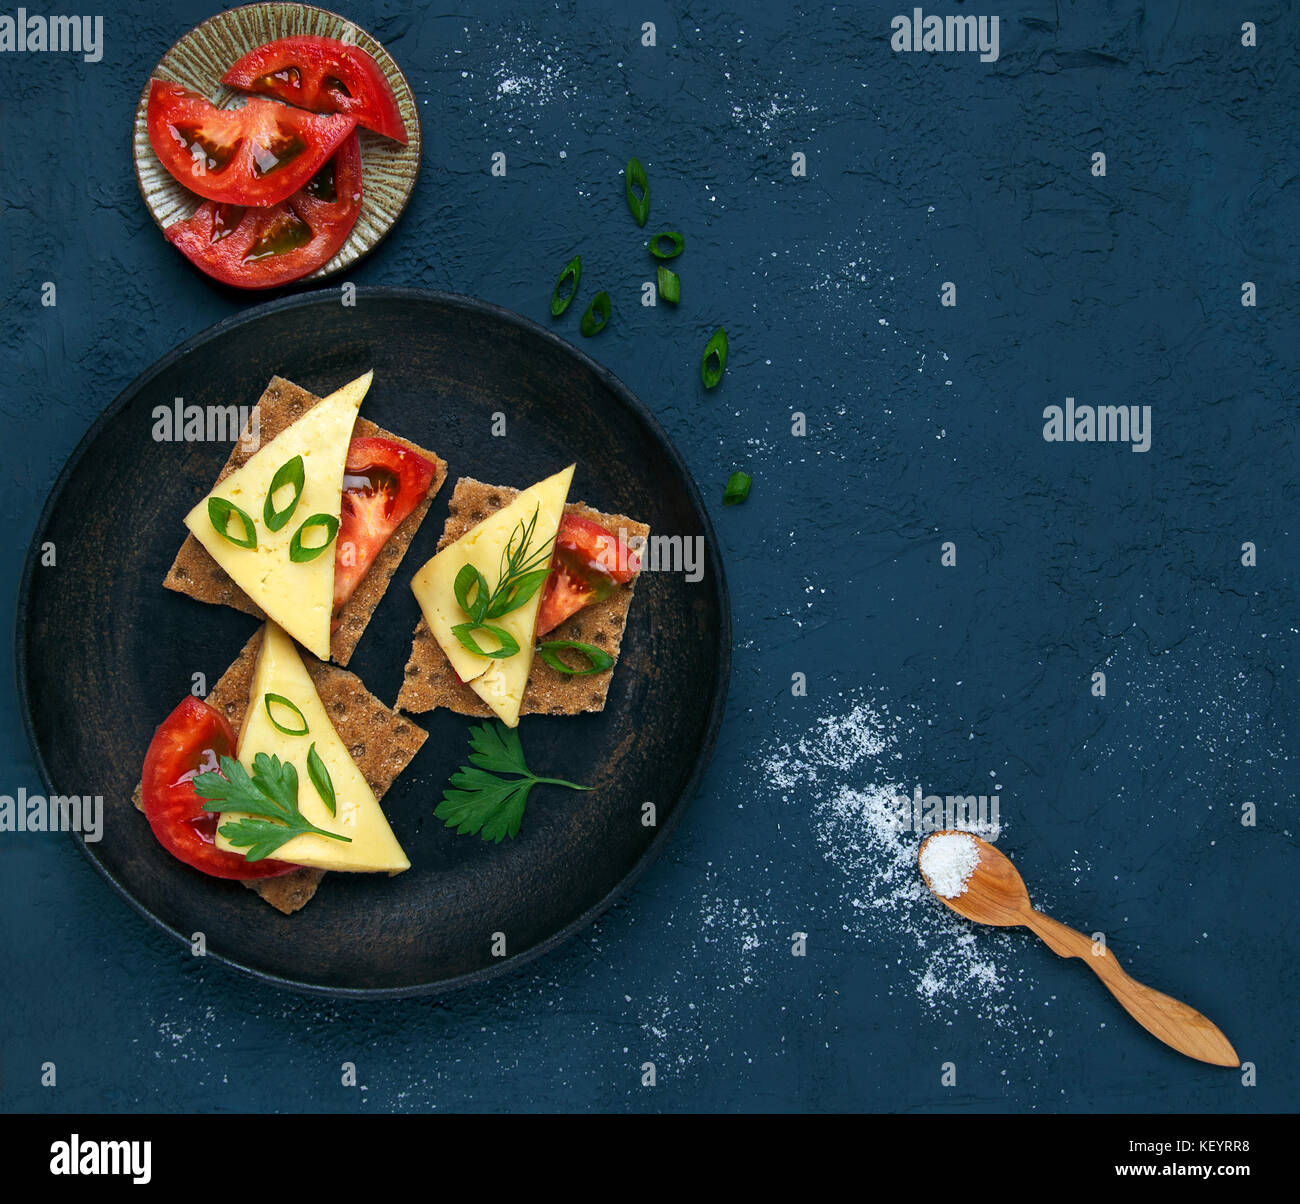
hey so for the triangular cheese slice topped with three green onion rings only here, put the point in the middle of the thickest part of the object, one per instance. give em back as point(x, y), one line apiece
point(300, 596)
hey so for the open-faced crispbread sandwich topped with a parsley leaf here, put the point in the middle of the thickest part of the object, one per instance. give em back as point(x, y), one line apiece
point(276, 777)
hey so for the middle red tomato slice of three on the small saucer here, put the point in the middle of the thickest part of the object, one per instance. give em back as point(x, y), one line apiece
point(259, 155)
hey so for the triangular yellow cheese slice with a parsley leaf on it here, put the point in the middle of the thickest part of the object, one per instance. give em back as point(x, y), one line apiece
point(358, 815)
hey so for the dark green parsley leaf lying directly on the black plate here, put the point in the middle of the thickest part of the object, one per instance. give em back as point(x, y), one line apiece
point(478, 800)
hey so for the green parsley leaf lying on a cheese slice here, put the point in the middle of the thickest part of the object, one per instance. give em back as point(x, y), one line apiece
point(270, 803)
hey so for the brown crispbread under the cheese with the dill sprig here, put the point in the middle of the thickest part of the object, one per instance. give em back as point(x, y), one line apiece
point(431, 682)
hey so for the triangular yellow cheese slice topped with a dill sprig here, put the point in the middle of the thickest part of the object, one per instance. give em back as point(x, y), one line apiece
point(499, 683)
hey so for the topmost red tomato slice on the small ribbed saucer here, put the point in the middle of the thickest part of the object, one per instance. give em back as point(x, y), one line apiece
point(324, 76)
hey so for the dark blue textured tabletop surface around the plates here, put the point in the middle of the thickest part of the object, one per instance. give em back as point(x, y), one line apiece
point(924, 426)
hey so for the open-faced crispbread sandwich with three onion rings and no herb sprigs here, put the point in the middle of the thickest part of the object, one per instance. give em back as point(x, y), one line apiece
point(310, 518)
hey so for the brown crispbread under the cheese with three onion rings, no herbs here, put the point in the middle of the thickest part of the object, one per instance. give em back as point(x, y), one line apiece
point(196, 574)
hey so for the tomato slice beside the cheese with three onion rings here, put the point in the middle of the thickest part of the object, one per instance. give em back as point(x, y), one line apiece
point(383, 483)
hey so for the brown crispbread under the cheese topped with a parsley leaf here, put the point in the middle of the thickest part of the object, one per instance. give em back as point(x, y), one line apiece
point(382, 743)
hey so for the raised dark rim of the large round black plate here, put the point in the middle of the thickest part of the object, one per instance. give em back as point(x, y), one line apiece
point(625, 395)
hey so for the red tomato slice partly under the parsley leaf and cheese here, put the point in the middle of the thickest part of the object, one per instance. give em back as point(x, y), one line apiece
point(189, 743)
